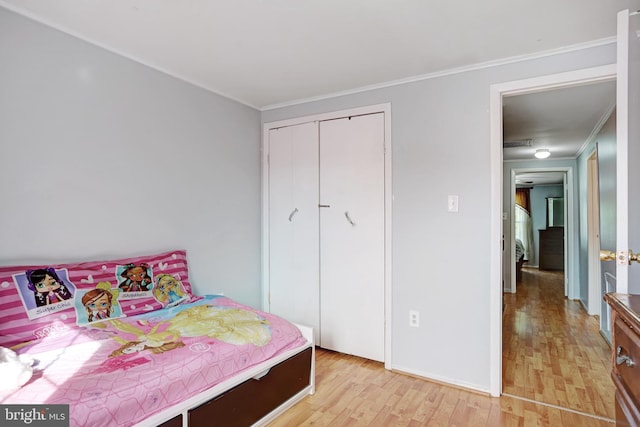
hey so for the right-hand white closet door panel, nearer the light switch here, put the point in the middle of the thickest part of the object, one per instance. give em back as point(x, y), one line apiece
point(352, 235)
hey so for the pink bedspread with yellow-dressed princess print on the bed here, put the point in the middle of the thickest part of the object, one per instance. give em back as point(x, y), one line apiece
point(120, 371)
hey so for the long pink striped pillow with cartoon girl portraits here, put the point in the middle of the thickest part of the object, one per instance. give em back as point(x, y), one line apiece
point(40, 300)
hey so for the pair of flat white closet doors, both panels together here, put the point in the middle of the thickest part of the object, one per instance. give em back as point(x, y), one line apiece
point(326, 230)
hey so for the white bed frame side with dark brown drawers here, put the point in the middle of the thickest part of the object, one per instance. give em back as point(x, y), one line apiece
point(253, 397)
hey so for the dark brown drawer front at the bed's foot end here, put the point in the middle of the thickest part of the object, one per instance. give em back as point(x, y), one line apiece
point(264, 394)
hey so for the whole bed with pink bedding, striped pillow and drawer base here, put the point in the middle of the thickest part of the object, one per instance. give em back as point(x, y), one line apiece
point(125, 349)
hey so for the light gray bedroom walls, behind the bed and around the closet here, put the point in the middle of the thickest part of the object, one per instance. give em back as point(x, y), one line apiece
point(106, 157)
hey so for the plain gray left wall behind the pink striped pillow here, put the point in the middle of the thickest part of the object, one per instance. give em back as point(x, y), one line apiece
point(104, 157)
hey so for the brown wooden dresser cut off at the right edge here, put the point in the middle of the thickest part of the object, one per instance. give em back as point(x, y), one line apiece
point(625, 345)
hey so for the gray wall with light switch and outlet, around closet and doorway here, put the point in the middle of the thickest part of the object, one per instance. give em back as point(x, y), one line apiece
point(441, 146)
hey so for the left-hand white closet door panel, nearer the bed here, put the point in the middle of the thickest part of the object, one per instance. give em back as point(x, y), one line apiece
point(293, 224)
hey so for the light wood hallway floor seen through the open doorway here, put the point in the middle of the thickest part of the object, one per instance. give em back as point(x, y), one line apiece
point(552, 350)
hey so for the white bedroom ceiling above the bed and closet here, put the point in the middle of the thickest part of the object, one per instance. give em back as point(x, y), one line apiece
point(266, 53)
